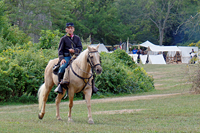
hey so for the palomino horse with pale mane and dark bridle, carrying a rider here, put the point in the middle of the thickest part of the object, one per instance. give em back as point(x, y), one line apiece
point(80, 80)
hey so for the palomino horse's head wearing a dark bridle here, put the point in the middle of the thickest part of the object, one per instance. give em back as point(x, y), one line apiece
point(94, 59)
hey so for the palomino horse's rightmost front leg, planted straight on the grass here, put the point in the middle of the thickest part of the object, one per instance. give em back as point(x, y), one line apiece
point(88, 93)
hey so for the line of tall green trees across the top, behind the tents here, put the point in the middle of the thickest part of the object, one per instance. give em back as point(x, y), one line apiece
point(163, 22)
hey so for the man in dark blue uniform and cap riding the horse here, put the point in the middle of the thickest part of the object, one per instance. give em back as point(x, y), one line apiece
point(70, 46)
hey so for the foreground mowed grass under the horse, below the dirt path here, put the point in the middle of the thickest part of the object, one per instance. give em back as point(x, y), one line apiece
point(179, 113)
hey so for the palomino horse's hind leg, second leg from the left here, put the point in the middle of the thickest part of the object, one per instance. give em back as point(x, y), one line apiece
point(58, 100)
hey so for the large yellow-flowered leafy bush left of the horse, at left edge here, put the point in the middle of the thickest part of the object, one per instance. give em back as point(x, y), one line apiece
point(22, 70)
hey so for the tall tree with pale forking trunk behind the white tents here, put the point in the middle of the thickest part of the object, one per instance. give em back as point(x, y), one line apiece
point(161, 13)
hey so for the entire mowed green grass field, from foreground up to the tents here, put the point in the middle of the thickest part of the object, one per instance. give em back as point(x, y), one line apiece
point(175, 113)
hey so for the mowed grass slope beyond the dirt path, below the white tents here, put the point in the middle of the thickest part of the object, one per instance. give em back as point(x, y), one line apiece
point(170, 78)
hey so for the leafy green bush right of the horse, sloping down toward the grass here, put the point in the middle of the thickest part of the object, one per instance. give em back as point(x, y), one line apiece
point(121, 75)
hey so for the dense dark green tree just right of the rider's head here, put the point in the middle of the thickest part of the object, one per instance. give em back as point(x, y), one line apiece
point(99, 19)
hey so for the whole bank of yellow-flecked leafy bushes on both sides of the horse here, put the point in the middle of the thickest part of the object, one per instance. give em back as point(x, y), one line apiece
point(22, 73)
